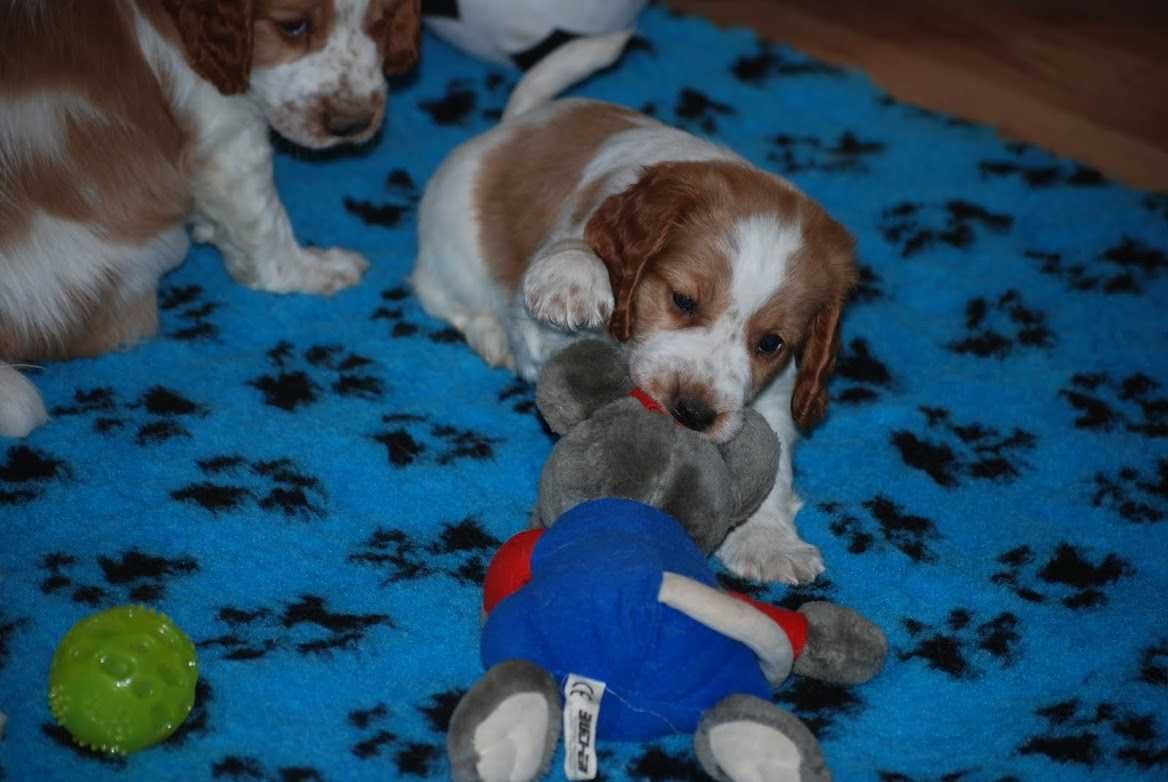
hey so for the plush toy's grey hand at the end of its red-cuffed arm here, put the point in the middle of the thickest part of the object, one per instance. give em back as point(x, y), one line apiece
point(843, 647)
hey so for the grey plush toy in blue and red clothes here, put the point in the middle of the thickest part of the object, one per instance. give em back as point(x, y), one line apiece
point(607, 618)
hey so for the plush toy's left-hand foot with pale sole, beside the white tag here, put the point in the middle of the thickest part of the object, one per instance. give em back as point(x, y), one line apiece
point(506, 728)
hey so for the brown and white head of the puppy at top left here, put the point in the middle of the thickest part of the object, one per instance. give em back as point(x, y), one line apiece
point(316, 68)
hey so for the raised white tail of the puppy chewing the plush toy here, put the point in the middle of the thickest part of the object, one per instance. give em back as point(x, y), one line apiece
point(566, 66)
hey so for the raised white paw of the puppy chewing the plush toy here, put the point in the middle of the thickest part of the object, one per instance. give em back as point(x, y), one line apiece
point(569, 289)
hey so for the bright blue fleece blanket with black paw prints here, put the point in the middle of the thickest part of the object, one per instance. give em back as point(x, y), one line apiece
point(311, 487)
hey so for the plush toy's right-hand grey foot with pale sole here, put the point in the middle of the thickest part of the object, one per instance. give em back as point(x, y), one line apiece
point(747, 739)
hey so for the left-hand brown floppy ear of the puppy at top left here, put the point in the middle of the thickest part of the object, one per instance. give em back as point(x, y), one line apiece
point(218, 37)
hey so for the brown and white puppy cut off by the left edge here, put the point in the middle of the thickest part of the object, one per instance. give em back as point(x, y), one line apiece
point(123, 120)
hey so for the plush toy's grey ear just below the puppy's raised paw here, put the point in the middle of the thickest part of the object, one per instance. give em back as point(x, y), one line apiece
point(579, 381)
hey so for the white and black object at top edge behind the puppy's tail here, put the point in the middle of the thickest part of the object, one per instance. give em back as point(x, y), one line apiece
point(522, 32)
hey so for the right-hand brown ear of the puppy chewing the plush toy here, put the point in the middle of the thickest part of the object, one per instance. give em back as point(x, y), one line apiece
point(817, 361)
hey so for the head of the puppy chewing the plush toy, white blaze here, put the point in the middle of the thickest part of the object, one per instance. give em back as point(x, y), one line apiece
point(722, 275)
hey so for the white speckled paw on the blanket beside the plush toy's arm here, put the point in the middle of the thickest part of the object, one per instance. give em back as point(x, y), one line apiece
point(760, 554)
